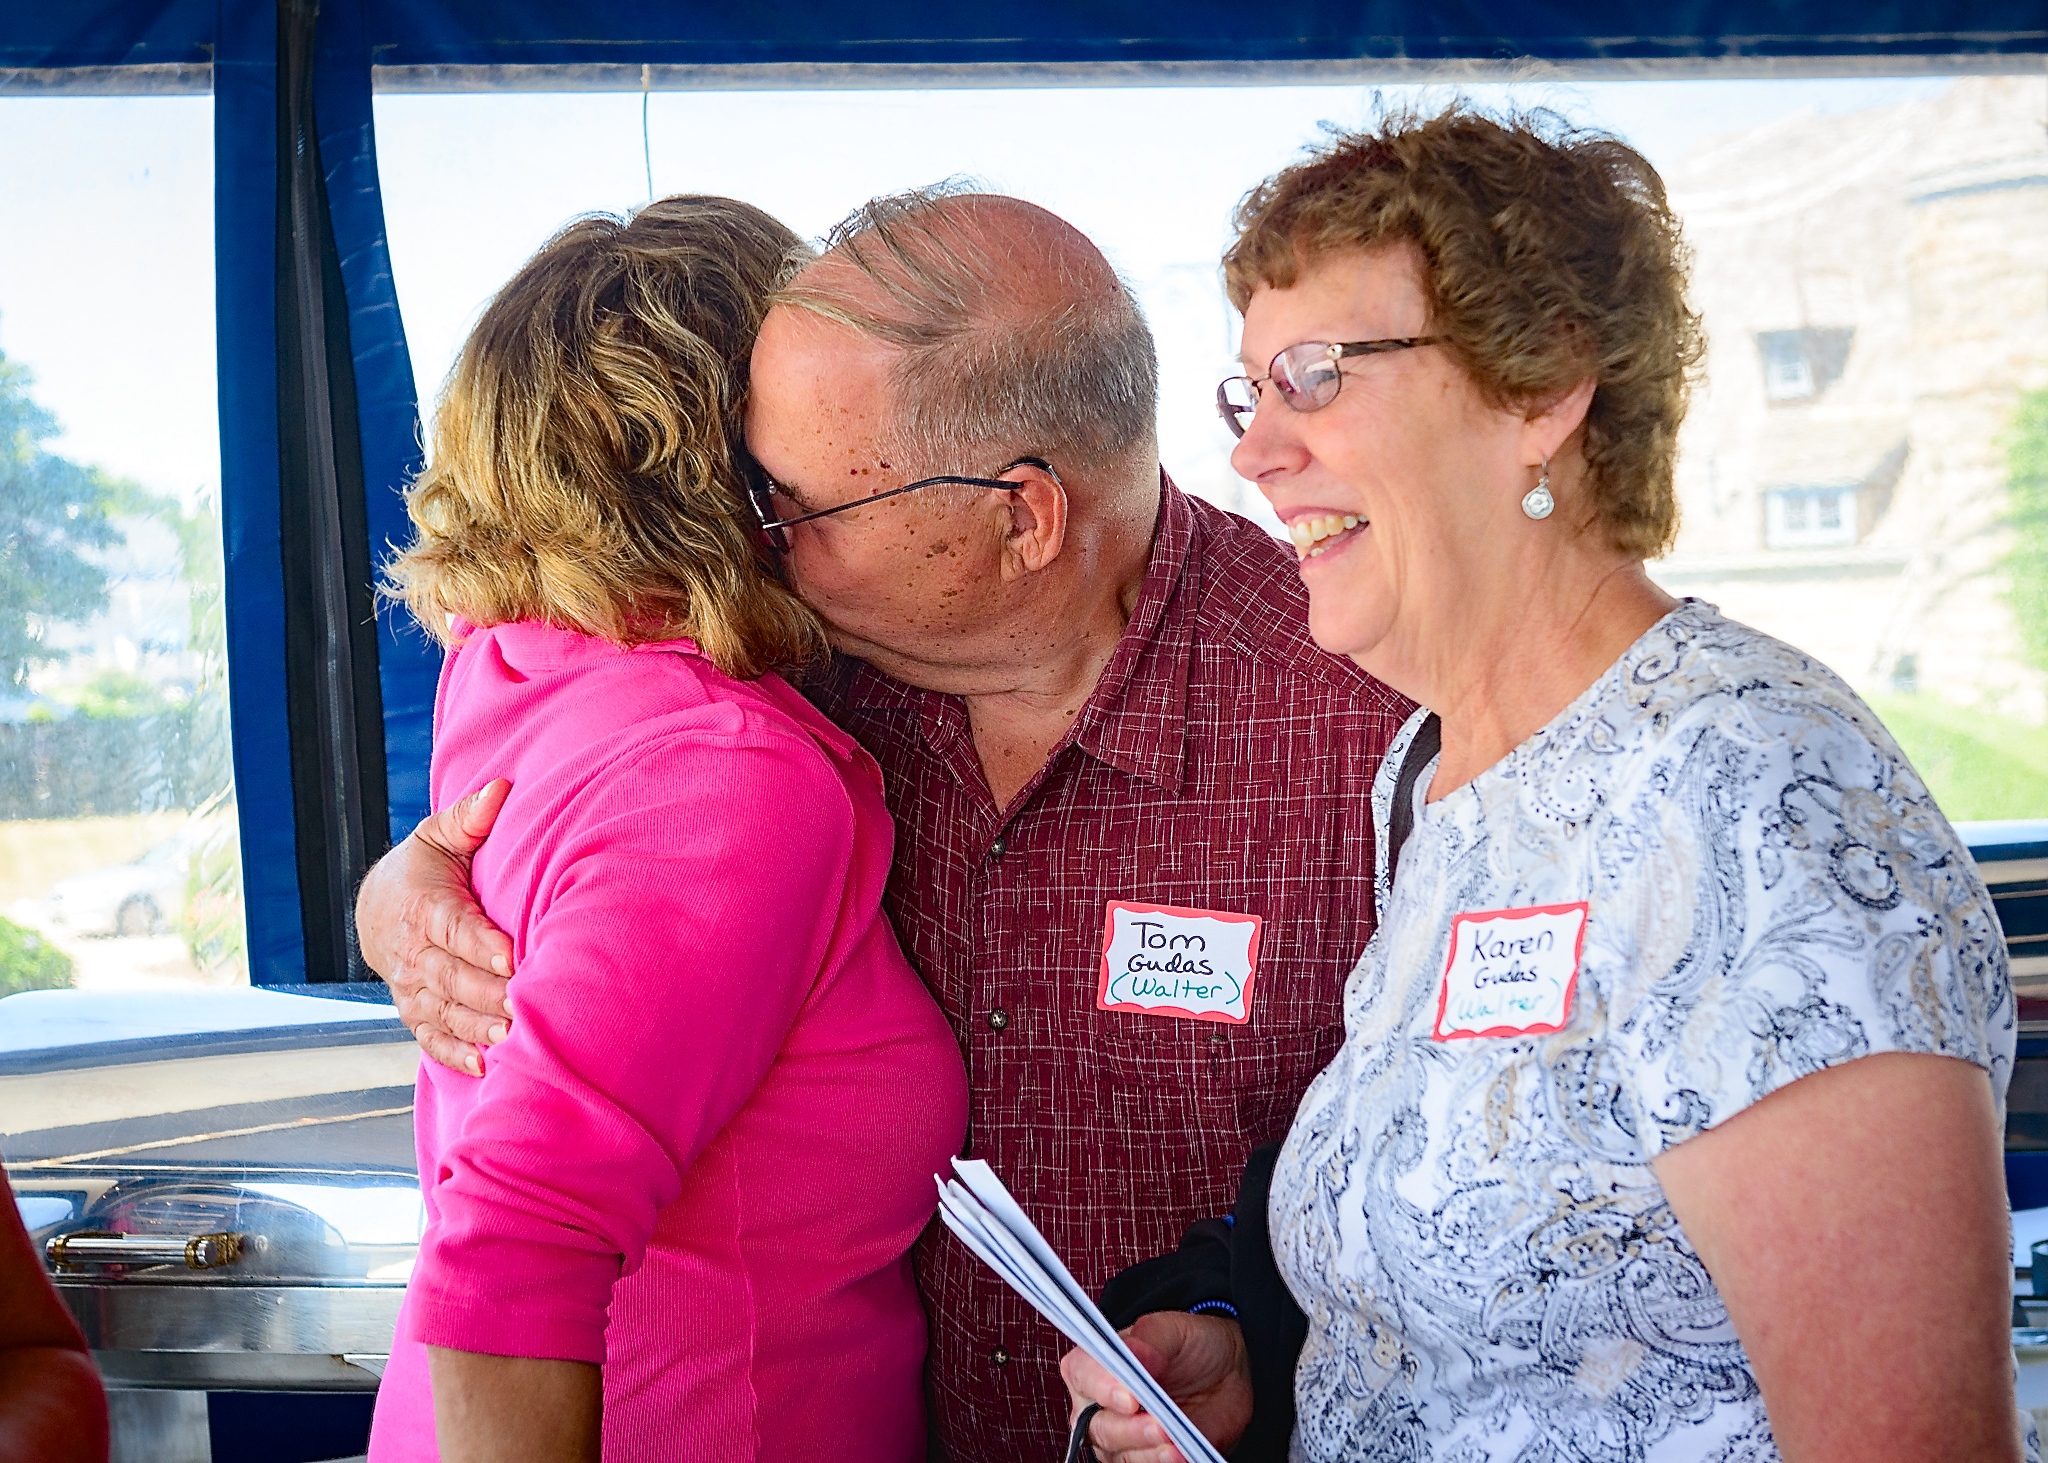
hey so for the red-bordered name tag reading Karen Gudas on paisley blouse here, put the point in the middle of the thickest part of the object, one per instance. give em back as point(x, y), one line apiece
point(1510, 972)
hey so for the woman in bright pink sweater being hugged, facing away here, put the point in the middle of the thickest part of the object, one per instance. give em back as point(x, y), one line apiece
point(675, 1210)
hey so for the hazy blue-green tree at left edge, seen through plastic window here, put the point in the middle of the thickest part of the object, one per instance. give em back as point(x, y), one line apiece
point(52, 517)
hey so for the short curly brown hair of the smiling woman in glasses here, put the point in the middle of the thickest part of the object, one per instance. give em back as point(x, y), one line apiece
point(1551, 255)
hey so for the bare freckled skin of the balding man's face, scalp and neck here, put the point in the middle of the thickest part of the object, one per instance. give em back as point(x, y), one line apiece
point(1013, 599)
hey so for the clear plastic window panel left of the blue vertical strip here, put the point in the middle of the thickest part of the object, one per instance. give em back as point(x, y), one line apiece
point(118, 817)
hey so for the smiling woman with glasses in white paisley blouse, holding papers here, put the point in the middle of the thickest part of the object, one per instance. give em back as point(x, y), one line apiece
point(1668, 1118)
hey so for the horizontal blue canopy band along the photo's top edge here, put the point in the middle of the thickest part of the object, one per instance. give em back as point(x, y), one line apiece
point(927, 32)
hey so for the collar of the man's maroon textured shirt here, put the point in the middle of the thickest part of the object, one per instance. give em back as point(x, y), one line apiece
point(1136, 718)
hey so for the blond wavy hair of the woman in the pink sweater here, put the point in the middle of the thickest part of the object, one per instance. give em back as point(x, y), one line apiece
point(587, 456)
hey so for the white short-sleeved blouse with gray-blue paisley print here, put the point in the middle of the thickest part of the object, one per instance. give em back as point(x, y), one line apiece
point(1488, 1263)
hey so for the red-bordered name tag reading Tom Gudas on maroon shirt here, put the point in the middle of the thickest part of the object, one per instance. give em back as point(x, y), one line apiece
point(1193, 964)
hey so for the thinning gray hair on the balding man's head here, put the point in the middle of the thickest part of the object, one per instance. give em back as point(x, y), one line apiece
point(988, 372)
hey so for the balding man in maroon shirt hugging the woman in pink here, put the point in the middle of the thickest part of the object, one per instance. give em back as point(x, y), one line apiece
point(1086, 692)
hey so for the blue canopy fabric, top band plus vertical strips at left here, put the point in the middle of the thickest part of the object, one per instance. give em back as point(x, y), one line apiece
point(241, 42)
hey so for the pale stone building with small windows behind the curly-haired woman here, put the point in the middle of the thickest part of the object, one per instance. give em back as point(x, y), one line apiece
point(1875, 290)
